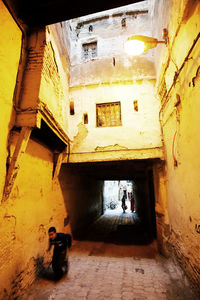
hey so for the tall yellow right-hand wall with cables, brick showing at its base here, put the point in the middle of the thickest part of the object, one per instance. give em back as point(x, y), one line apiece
point(179, 89)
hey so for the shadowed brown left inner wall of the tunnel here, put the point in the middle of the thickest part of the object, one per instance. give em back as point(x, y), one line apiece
point(83, 196)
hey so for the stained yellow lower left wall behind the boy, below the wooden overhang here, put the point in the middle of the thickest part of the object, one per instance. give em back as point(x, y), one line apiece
point(35, 203)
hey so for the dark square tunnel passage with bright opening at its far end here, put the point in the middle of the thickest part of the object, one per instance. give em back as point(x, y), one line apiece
point(84, 191)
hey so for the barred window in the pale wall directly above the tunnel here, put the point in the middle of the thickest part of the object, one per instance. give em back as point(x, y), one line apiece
point(108, 114)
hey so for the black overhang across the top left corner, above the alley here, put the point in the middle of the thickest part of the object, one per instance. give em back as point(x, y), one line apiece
point(45, 12)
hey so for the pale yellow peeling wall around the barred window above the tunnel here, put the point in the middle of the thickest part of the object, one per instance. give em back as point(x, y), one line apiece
point(140, 129)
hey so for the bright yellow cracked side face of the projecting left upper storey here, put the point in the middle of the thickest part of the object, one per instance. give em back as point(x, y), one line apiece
point(54, 85)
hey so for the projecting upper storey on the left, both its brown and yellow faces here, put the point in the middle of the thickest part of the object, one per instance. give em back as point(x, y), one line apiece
point(46, 75)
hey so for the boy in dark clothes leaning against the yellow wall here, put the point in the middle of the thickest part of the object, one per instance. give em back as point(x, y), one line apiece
point(61, 242)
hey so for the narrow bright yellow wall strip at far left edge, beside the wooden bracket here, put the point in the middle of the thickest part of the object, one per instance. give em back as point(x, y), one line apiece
point(10, 49)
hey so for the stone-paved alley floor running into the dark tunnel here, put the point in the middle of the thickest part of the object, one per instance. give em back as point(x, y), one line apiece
point(106, 270)
